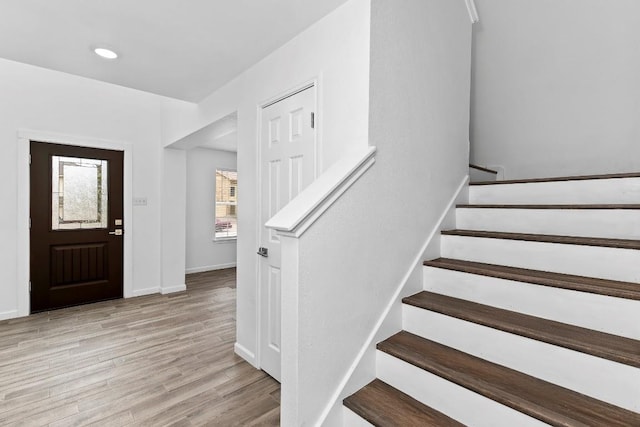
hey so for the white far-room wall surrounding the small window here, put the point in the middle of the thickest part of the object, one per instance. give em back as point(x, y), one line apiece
point(203, 253)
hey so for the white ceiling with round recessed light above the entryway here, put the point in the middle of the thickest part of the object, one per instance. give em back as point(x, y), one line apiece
point(180, 49)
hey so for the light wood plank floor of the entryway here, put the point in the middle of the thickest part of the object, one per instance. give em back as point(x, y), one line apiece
point(154, 360)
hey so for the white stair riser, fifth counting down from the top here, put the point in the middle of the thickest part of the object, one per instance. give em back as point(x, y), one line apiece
point(603, 379)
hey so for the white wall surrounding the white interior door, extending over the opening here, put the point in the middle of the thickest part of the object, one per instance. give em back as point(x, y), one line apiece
point(336, 51)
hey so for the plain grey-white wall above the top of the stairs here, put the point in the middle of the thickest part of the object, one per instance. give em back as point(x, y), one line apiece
point(556, 88)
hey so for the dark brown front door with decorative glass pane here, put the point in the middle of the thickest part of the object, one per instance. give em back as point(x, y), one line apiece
point(76, 225)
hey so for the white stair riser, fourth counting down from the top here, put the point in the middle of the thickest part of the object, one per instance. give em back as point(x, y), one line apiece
point(616, 316)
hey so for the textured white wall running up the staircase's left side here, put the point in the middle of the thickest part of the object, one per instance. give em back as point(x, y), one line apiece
point(354, 258)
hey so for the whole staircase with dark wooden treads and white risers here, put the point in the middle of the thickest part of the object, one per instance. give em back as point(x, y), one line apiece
point(531, 317)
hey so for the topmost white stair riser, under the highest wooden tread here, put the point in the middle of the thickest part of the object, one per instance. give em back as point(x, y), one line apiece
point(597, 191)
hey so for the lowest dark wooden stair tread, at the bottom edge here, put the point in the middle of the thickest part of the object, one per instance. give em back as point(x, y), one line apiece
point(382, 405)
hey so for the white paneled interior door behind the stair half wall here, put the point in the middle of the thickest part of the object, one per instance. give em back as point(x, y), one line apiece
point(288, 165)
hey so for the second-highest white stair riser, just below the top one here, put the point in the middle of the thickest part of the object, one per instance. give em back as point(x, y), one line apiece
point(607, 223)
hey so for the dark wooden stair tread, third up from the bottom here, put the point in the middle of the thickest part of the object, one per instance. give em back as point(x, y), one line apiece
point(612, 347)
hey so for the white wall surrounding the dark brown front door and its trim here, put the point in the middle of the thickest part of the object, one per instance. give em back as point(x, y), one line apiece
point(53, 102)
